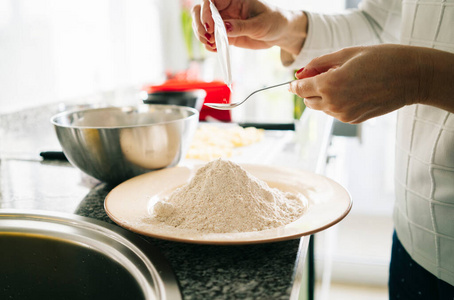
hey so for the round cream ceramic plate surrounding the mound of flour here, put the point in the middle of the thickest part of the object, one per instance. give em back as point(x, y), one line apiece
point(129, 205)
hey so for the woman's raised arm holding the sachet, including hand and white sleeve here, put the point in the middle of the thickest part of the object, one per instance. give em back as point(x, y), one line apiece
point(253, 24)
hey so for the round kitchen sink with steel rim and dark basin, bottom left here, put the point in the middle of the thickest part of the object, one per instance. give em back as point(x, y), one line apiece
point(63, 256)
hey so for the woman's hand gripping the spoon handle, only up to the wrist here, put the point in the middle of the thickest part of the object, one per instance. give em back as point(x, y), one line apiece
point(359, 83)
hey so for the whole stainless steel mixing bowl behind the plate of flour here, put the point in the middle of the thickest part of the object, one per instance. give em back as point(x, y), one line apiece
point(116, 143)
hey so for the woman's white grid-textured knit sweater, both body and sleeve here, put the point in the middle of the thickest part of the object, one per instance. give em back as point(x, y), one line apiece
point(424, 176)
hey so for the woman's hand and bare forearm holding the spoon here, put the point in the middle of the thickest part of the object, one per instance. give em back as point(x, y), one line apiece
point(359, 83)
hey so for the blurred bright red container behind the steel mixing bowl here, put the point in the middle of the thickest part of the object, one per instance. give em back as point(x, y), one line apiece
point(217, 92)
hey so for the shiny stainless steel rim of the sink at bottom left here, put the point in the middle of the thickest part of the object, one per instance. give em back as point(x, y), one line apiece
point(144, 261)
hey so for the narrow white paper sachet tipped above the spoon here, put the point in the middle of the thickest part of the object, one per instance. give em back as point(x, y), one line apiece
point(222, 45)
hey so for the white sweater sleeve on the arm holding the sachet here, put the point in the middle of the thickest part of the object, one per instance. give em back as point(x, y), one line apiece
point(374, 22)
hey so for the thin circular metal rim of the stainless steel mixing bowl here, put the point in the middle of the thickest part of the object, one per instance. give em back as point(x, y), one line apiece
point(54, 118)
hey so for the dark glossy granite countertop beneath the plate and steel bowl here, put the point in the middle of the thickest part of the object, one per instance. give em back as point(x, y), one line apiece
point(260, 271)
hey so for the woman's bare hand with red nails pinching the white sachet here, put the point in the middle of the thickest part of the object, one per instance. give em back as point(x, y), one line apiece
point(251, 24)
